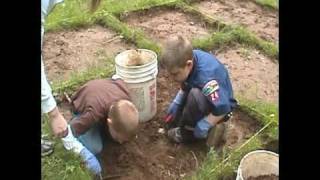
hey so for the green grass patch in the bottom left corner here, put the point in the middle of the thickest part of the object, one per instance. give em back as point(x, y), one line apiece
point(62, 164)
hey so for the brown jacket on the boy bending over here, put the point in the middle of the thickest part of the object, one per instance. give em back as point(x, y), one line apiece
point(92, 102)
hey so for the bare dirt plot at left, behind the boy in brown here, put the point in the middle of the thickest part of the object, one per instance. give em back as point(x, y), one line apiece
point(69, 51)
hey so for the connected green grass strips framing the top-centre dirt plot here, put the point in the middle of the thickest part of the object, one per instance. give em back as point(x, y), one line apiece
point(74, 14)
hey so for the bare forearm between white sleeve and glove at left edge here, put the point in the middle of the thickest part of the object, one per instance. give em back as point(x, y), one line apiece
point(58, 123)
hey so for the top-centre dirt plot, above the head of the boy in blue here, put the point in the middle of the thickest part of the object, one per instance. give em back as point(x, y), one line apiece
point(161, 23)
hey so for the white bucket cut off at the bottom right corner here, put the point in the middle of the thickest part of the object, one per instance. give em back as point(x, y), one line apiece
point(258, 163)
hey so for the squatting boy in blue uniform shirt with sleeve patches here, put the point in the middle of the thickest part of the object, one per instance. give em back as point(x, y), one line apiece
point(205, 98)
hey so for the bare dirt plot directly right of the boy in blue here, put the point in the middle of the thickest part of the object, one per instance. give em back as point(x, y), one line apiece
point(252, 74)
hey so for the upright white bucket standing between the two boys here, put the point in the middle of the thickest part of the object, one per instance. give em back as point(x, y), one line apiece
point(141, 81)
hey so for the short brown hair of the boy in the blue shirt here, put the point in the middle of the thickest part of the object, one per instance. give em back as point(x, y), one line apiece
point(176, 52)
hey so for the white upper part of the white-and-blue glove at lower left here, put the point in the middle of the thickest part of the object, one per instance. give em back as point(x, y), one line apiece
point(72, 143)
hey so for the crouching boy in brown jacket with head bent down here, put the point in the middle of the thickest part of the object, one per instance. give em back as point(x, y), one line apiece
point(99, 106)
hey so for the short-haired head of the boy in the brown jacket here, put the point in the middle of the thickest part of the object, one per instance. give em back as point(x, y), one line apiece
point(125, 117)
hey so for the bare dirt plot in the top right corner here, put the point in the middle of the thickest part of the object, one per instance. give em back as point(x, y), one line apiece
point(264, 22)
